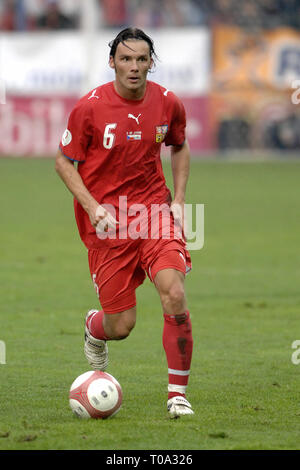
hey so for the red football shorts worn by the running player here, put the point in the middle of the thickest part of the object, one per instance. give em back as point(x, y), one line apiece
point(117, 270)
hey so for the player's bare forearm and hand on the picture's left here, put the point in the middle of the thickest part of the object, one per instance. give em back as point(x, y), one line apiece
point(72, 179)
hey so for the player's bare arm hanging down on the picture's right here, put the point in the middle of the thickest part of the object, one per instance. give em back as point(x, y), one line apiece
point(180, 162)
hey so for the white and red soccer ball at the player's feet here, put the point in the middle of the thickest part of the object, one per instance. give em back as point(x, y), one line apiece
point(95, 394)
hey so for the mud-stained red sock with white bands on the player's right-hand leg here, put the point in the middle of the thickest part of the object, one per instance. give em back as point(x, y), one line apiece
point(178, 346)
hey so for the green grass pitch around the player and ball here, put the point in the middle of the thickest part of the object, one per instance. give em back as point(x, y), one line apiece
point(244, 299)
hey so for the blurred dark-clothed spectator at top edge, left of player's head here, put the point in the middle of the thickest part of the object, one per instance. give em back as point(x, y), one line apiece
point(54, 18)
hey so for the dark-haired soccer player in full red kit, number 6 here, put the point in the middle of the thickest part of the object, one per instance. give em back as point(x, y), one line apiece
point(115, 134)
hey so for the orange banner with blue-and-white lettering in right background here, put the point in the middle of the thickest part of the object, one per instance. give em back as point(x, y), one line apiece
point(243, 59)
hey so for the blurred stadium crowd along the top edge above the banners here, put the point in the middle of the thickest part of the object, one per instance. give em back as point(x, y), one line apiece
point(32, 15)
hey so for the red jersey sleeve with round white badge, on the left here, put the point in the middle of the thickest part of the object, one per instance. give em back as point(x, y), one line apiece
point(77, 137)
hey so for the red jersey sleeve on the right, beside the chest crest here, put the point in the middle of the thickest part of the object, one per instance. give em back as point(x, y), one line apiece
point(176, 132)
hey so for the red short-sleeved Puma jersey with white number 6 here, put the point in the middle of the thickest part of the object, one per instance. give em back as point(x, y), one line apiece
point(117, 143)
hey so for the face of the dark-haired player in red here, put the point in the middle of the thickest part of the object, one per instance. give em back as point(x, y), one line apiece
point(132, 63)
